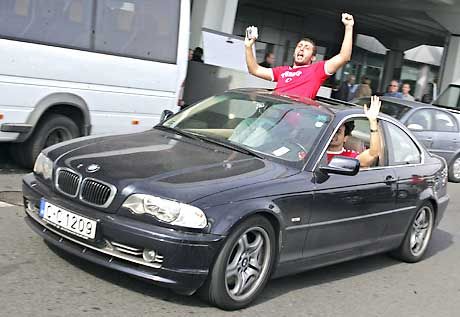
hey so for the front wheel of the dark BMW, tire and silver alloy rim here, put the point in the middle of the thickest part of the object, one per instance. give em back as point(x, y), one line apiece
point(243, 266)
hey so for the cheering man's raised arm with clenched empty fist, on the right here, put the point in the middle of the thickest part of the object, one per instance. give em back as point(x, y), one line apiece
point(333, 64)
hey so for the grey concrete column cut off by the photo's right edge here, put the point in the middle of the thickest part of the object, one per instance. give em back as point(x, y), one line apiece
point(451, 73)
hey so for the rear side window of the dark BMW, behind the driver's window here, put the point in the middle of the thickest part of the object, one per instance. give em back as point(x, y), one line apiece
point(400, 148)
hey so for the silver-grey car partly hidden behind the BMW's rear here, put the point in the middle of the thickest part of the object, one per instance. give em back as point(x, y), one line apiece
point(438, 129)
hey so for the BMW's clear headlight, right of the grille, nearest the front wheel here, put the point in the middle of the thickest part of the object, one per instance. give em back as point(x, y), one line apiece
point(165, 210)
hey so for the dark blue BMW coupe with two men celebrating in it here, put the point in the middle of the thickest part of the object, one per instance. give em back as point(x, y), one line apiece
point(234, 190)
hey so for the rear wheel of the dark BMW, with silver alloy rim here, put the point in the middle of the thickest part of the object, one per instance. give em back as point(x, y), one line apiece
point(418, 235)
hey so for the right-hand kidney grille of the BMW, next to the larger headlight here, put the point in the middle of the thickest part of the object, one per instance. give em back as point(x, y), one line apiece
point(96, 193)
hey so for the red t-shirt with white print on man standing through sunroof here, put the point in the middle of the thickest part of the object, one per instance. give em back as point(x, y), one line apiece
point(302, 81)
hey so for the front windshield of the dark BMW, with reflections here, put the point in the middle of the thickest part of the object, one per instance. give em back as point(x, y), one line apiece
point(269, 126)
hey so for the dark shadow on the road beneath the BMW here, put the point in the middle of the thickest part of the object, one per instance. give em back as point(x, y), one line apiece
point(441, 240)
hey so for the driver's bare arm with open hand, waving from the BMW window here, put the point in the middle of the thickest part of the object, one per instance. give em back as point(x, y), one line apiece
point(368, 157)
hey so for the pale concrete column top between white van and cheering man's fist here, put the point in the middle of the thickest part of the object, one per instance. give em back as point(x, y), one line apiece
point(218, 15)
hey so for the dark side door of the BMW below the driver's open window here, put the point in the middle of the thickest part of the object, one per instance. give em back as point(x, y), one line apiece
point(346, 211)
